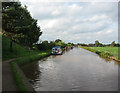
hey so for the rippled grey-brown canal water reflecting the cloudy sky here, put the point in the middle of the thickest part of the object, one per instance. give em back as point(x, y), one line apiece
point(75, 70)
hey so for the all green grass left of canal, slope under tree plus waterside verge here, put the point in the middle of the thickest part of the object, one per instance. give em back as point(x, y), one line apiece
point(24, 56)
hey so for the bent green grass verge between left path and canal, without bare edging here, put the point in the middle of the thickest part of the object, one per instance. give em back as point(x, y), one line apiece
point(21, 61)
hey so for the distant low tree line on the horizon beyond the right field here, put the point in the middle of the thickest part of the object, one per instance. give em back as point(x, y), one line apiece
point(98, 44)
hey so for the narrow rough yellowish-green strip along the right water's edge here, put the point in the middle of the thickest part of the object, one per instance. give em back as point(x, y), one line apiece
point(103, 54)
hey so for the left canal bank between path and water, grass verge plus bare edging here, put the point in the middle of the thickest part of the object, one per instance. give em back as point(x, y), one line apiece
point(20, 79)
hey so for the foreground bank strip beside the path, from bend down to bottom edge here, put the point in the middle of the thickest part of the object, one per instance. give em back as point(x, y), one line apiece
point(20, 78)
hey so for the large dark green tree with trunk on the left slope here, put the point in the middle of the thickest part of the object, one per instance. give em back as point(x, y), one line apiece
point(18, 24)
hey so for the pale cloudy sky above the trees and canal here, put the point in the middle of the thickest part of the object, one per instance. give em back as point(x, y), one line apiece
point(77, 22)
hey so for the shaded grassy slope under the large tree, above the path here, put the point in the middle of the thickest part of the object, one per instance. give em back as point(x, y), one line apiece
point(18, 50)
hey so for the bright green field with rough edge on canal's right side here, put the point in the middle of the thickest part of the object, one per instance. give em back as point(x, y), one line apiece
point(108, 52)
